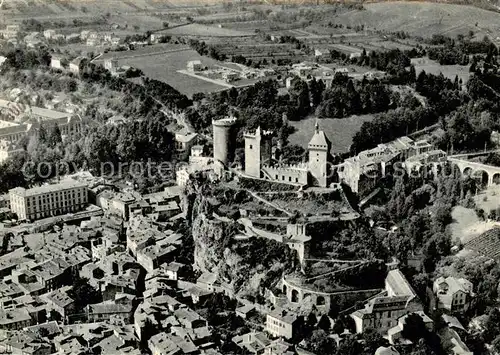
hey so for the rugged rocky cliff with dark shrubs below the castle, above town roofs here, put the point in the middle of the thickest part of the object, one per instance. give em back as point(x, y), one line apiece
point(243, 266)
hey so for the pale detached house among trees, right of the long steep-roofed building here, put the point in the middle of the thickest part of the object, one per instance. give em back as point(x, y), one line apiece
point(453, 294)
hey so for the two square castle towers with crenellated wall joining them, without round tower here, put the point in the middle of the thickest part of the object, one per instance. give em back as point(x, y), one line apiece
point(259, 162)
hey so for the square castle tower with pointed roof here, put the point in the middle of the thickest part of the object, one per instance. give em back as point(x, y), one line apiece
point(319, 148)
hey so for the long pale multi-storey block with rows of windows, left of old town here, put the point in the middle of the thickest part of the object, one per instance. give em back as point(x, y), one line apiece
point(48, 200)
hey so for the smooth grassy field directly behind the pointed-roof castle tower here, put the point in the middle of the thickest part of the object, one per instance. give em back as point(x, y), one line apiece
point(339, 131)
